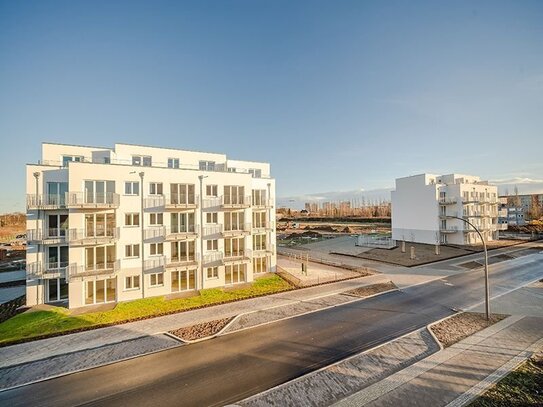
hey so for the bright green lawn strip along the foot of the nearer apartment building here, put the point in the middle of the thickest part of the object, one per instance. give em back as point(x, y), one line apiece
point(56, 320)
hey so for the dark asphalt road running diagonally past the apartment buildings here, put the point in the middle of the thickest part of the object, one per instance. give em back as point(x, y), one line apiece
point(235, 366)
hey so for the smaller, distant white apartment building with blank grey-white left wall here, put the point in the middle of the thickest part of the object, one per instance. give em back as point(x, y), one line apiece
point(424, 208)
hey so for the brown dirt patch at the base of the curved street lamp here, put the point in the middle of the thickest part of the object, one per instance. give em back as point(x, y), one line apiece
point(460, 326)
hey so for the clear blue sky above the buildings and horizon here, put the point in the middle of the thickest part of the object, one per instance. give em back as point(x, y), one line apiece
point(336, 95)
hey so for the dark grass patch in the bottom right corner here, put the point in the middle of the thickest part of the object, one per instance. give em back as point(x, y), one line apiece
point(521, 387)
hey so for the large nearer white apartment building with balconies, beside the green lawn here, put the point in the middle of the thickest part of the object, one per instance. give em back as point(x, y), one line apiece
point(129, 222)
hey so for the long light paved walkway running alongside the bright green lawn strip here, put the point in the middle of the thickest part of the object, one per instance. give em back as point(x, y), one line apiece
point(96, 338)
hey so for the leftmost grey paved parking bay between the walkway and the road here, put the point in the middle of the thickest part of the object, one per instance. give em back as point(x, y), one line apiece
point(23, 373)
